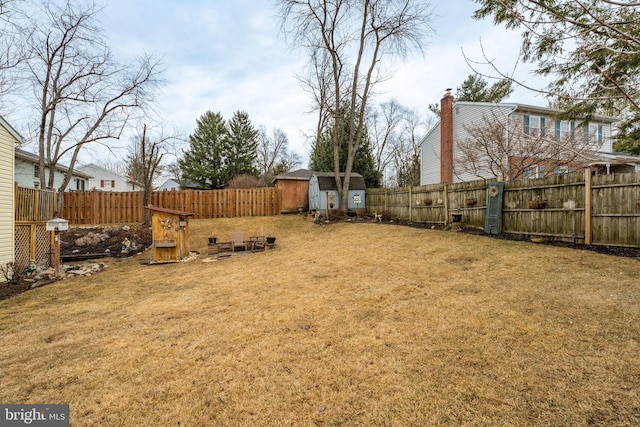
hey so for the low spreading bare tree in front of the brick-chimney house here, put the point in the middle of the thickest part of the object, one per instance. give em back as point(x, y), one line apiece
point(497, 146)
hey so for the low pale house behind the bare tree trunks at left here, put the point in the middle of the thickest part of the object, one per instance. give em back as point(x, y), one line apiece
point(27, 173)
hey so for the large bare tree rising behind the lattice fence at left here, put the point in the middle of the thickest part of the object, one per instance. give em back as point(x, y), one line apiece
point(83, 95)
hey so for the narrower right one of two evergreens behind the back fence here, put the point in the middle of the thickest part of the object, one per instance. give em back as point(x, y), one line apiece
point(241, 146)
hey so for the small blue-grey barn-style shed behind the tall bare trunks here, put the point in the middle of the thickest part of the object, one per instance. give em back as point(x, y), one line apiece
point(323, 192)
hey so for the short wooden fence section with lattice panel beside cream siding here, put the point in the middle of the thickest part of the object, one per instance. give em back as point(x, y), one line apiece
point(33, 208)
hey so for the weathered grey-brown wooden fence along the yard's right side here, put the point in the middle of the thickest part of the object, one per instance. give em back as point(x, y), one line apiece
point(602, 209)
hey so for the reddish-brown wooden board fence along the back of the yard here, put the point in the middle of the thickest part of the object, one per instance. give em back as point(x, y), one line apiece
point(114, 207)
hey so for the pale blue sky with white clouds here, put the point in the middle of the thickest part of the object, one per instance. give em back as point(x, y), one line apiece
point(224, 56)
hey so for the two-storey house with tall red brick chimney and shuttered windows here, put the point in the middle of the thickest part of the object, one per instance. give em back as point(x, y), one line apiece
point(441, 146)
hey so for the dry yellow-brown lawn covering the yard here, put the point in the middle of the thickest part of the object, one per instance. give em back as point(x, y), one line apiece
point(347, 324)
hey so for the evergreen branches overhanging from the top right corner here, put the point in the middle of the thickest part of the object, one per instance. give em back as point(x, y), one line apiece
point(589, 50)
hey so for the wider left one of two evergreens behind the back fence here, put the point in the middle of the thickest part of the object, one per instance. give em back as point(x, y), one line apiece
point(205, 163)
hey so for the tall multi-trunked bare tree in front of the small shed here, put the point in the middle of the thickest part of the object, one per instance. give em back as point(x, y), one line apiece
point(354, 36)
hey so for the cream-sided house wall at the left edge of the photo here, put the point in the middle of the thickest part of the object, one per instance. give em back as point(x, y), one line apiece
point(8, 139)
